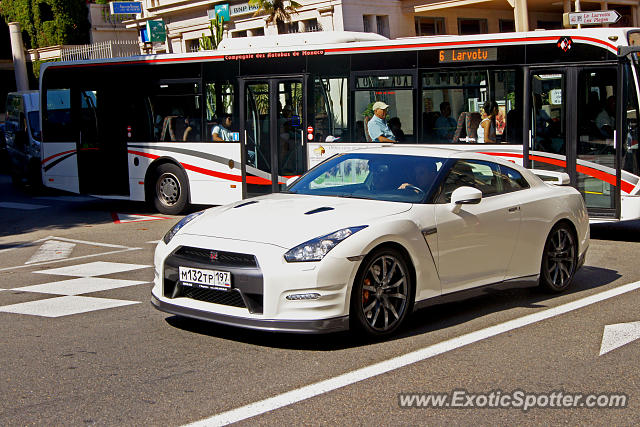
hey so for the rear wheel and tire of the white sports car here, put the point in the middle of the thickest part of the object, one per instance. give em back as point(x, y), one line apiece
point(559, 259)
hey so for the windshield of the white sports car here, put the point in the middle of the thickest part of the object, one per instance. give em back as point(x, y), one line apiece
point(390, 177)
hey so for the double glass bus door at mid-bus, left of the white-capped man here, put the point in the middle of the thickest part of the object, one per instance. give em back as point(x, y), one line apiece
point(272, 120)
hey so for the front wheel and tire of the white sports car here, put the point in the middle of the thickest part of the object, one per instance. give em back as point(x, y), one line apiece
point(382, 293)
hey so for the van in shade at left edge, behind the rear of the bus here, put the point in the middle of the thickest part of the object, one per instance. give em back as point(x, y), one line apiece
point(22, 134)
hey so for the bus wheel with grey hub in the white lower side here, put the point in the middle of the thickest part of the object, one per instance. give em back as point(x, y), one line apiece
point(171, 190)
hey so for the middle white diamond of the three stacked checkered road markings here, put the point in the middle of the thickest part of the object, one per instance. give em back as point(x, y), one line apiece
point(78, 286)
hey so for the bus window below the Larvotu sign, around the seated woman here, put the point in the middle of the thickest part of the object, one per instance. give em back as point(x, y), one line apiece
point(452, 106)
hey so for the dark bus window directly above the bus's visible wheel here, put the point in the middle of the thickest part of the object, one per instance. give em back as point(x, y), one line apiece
point(177, 110)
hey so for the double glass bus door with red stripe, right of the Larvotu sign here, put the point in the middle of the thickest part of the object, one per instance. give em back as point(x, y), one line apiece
point(572, 130)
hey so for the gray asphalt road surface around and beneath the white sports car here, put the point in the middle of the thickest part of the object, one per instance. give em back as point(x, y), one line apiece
point(106, 357)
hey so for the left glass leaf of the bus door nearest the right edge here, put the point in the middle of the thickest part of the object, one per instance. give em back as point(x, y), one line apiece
point(548, 119)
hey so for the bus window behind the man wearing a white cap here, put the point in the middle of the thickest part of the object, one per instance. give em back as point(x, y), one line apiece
point(395, 91)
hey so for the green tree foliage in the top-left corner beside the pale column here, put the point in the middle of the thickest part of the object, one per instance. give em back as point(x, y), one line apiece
point(49, 22)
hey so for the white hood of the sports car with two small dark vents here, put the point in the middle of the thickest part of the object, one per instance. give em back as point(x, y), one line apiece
point(287, 220)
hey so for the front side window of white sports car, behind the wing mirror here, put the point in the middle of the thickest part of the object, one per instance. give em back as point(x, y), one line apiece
point(485, 176)
